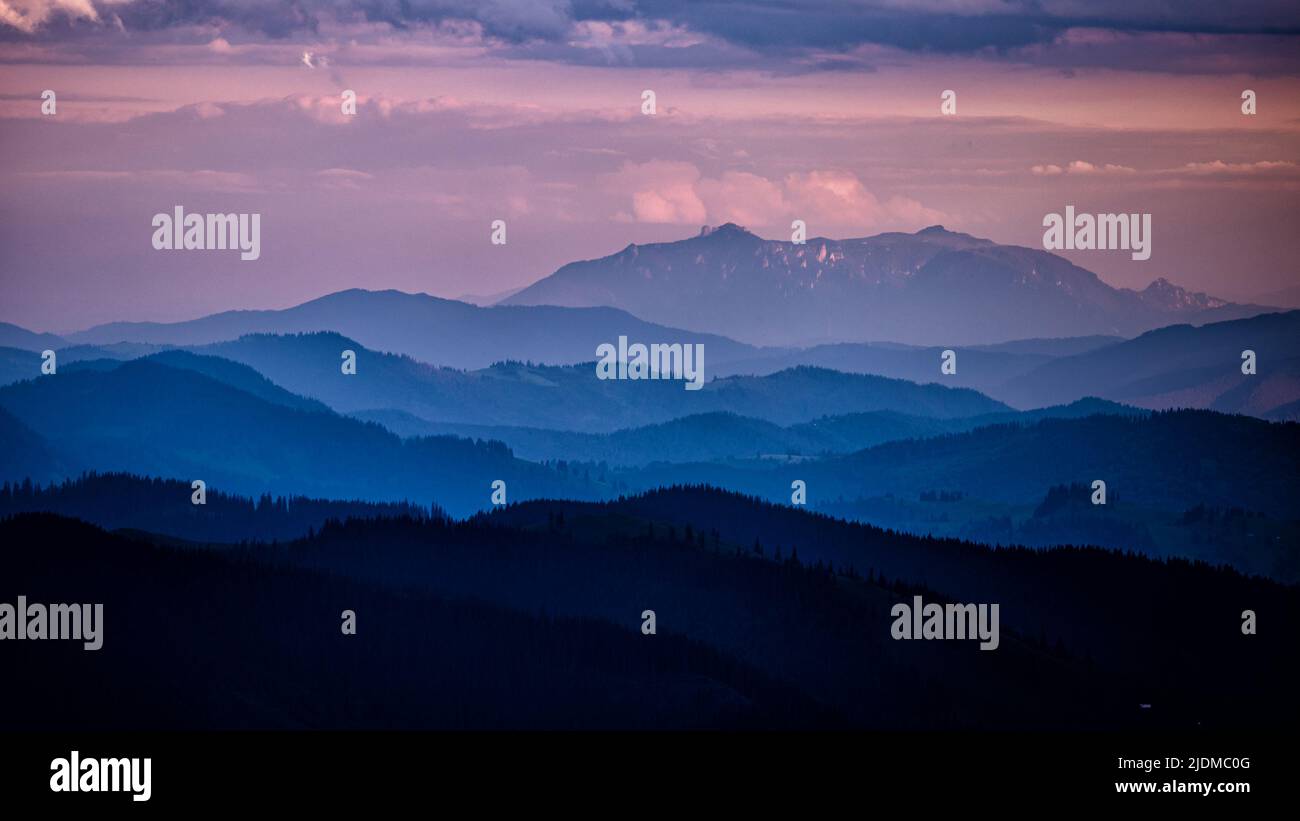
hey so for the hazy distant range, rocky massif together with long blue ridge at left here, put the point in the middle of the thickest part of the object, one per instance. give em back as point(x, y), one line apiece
point(733, 290)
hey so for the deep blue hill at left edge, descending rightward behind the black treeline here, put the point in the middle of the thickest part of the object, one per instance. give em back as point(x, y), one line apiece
point(155, 420)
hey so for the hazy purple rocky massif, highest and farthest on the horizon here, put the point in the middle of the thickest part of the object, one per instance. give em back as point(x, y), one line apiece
point(934, 288)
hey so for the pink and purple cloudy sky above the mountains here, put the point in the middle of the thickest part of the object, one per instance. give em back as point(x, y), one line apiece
point(531, 112)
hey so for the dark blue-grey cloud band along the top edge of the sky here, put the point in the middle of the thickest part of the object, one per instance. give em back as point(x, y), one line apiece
point(775, 34)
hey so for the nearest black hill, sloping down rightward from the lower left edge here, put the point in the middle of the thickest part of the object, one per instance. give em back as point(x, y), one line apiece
point(237, 640)
